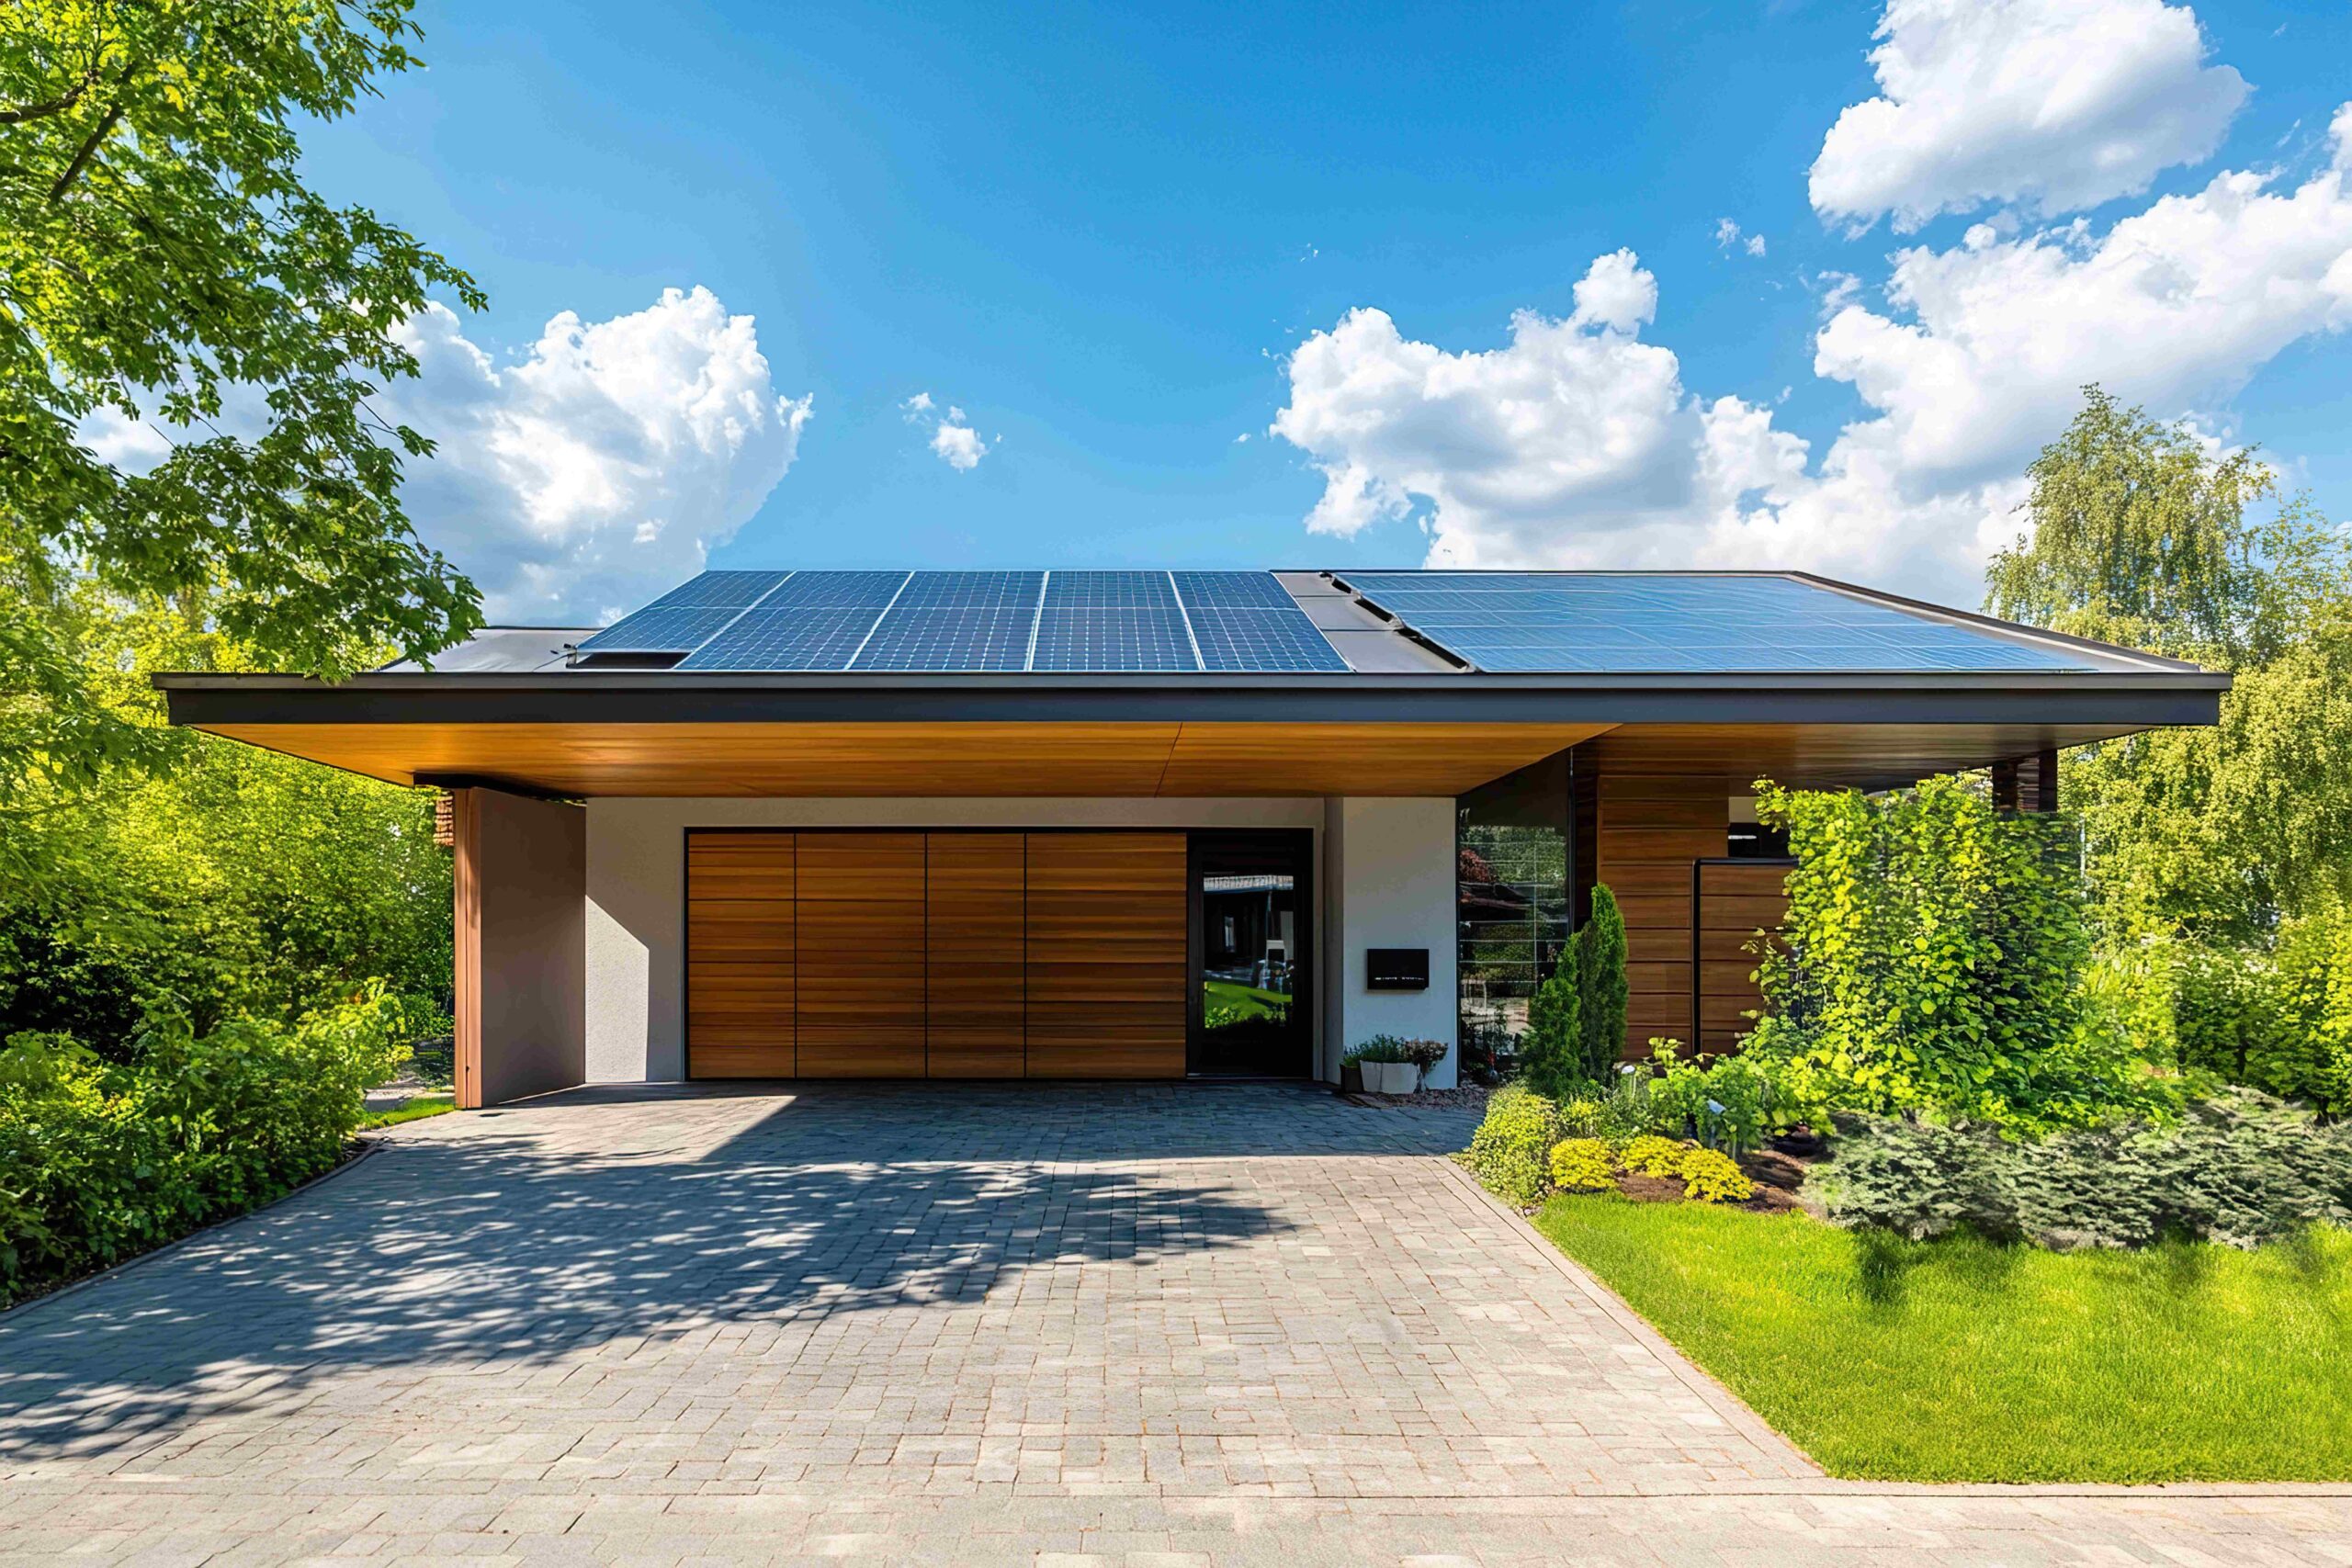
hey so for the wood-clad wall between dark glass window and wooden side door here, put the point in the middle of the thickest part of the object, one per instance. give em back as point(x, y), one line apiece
point(1648, 836)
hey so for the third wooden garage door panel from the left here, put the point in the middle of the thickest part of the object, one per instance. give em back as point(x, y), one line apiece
point(975, 956)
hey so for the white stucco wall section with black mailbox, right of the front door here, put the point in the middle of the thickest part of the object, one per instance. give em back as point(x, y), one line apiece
point(1389, 883)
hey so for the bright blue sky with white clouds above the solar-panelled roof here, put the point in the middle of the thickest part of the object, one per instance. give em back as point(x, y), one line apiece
point(1102, 234)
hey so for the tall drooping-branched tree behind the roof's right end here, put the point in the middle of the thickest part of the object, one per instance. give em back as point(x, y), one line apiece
point(2144, 537)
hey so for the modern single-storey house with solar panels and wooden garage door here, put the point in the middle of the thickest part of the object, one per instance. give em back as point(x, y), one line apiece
point(1151, 824)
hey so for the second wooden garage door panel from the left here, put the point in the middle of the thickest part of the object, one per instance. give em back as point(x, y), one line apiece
point(862, 956)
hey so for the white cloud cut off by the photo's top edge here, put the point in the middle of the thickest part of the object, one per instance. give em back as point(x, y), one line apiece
point(2052, 105)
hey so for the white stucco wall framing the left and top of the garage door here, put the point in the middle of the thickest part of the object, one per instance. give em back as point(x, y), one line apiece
point(639, 880)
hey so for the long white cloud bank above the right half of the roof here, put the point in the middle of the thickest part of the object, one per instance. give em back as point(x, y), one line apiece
point(1579, 445)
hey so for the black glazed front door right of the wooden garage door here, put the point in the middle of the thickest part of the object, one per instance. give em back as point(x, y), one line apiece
point(1252, 956)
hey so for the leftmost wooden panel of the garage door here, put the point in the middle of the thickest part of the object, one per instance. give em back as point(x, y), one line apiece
point(740, 956)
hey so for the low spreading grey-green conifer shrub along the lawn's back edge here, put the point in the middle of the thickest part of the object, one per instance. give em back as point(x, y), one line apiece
point(2238, 1170)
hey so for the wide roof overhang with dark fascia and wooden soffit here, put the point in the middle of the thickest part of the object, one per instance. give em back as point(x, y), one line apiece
point(629, 732)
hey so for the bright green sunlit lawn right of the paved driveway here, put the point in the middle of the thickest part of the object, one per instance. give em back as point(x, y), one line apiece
point(1970, 1362)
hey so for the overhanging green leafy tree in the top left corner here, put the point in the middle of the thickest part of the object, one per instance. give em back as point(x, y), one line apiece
point(171, 283)
